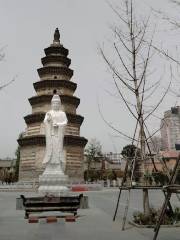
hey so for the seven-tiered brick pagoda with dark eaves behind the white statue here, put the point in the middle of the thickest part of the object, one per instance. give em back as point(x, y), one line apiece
point(55, 75)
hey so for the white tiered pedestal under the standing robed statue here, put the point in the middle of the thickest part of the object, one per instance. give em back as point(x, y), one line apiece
point(53, 181)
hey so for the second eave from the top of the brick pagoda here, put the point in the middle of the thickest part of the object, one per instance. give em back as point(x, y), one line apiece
point(54, 58)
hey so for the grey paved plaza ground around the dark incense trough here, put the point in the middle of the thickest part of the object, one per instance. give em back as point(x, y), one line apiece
point(93, 223)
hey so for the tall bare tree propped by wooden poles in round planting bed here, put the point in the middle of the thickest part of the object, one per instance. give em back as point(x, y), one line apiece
point(132, 73)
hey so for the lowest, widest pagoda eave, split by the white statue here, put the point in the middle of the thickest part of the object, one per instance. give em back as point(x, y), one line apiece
point(39, 140)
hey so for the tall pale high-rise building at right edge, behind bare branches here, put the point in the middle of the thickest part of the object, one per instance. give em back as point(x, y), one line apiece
point(170, 128)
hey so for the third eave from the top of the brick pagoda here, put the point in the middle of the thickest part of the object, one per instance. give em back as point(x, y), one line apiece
point(52, 70)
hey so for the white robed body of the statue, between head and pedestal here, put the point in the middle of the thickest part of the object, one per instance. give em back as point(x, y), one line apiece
point(55, 122)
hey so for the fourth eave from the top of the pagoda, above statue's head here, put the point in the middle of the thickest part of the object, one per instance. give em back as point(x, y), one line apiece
point(54, 84)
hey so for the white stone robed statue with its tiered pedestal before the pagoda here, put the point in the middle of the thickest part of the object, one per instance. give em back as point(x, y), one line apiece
point(53, 179)
